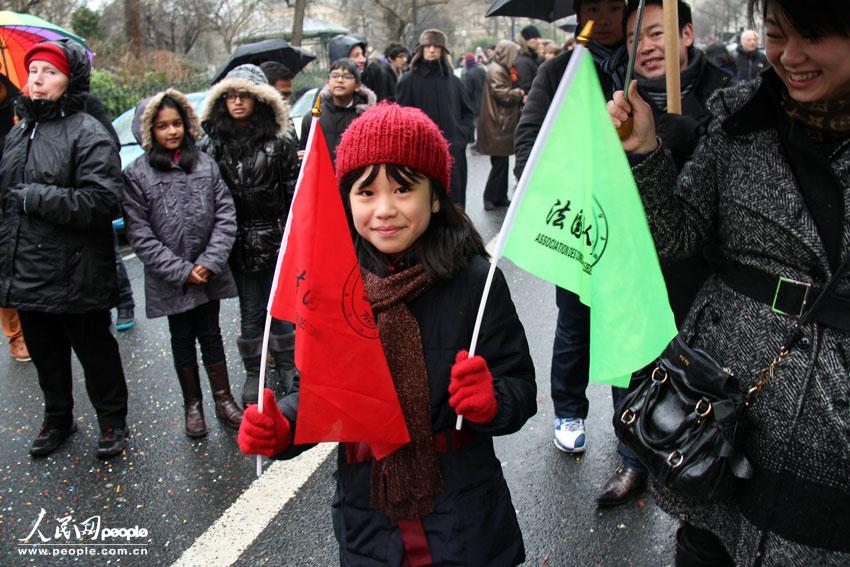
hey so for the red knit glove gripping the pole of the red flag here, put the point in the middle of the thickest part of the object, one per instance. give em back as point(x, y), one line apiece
point(266, 433)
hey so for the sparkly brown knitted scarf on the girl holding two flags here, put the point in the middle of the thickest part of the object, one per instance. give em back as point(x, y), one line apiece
point(404, 483)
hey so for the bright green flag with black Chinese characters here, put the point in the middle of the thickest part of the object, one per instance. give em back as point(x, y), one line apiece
point(580, 224)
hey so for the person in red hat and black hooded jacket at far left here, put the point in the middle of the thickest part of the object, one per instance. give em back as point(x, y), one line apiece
point(59, 191)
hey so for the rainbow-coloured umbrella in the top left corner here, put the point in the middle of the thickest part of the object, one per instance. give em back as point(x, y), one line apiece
point(18, 32)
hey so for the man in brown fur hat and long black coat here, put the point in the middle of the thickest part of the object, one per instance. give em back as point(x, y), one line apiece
point(432, 87)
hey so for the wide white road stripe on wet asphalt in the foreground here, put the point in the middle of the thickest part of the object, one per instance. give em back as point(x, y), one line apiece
point(224, 541)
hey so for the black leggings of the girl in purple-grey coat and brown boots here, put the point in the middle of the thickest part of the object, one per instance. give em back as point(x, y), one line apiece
point(201, 324)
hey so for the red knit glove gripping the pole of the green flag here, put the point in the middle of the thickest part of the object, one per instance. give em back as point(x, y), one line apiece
point(471, 389)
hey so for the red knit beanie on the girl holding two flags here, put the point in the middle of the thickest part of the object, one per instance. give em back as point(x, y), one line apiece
point(401, 135)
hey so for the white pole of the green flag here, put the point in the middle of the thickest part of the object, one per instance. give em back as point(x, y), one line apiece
point(531, 164)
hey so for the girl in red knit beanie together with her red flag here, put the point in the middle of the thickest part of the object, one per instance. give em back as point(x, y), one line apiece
point(383, 327)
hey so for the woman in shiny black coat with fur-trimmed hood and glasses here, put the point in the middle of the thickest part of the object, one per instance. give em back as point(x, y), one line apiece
point(249, 136)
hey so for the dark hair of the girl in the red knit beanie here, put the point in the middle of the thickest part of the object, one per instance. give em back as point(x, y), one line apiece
point(444, 249)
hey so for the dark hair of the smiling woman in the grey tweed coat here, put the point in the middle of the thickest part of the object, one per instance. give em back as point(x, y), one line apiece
point(813, 20)
